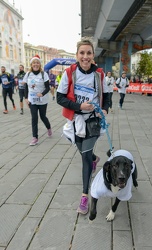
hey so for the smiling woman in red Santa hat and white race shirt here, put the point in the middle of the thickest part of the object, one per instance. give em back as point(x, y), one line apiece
point(37, 96)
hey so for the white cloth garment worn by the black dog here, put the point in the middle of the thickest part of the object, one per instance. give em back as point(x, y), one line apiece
point(99, 189)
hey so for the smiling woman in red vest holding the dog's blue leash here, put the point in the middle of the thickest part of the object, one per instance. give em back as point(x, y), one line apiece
point(81, 84)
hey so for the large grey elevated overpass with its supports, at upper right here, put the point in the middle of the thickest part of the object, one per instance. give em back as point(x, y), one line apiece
point(118, 28)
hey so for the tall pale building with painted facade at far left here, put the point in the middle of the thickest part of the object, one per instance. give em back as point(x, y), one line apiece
point(11, 37)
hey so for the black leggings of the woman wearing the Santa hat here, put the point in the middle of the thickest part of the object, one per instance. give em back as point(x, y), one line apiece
point(34, 113)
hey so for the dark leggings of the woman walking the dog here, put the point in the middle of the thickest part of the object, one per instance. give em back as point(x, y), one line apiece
point(85, 147)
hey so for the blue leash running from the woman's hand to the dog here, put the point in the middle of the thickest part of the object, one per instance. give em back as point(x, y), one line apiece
point(104, 125)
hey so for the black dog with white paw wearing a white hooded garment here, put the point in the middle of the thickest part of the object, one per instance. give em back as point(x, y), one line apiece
point(115, 179)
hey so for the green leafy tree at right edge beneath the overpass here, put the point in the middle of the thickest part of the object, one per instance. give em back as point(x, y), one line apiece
point(145, 65)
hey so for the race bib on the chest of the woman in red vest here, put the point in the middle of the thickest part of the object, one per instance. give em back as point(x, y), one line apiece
point(83, 93)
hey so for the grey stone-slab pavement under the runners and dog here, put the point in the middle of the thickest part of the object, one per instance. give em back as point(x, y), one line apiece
point(40, 186)
